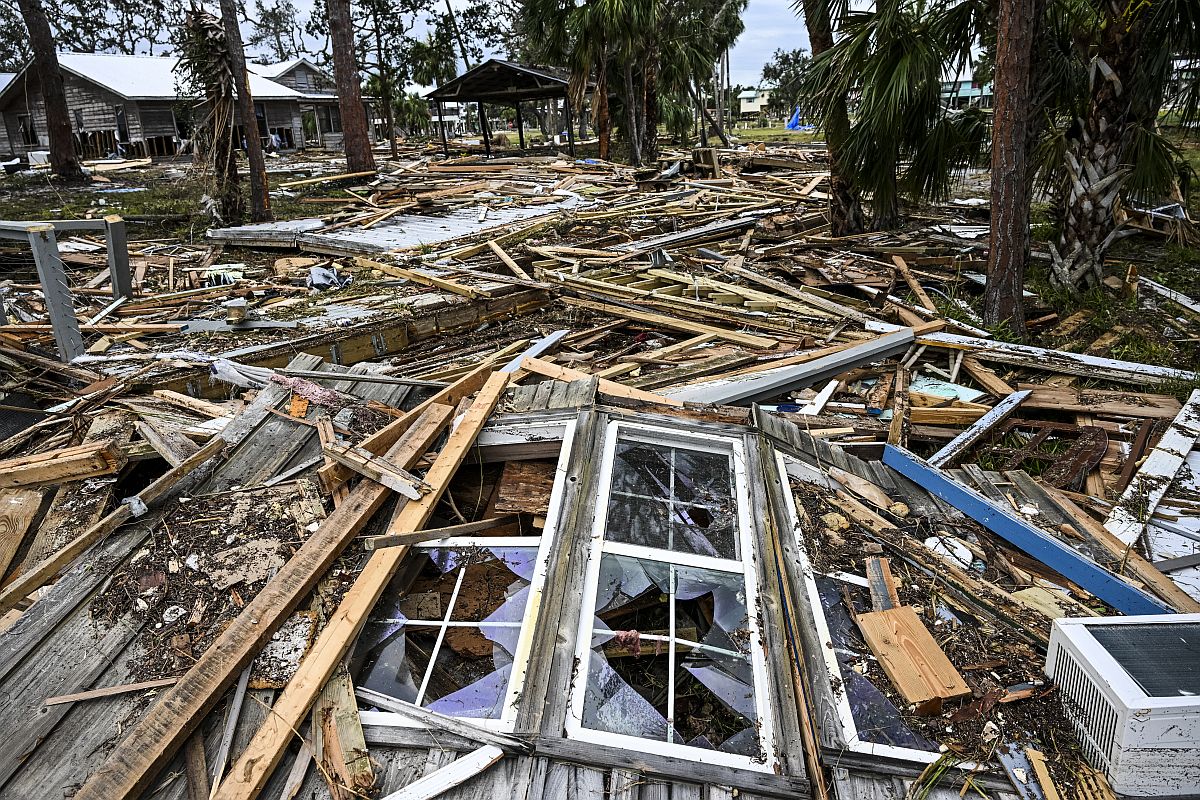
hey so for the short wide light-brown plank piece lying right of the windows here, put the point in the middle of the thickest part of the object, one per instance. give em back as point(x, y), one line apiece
point(910, 657)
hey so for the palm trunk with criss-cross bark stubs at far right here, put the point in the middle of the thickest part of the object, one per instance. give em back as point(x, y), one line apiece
point(1095, 173)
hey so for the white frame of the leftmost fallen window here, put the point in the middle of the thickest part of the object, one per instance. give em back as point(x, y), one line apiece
point(507, 721)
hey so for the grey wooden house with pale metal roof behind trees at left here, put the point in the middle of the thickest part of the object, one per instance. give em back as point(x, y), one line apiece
point(135, 106)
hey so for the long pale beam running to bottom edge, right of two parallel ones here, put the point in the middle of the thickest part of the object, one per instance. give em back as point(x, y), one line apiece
point(265, 751)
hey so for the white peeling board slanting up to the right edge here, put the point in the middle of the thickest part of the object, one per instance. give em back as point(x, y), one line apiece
point(1150, 485)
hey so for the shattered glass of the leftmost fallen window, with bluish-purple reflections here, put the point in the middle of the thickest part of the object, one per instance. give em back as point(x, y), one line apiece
point(449, 622)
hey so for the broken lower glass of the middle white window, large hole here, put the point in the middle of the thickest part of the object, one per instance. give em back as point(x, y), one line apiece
point(701, 694)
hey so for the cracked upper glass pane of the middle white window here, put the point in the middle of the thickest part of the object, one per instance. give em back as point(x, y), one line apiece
point(674, 500)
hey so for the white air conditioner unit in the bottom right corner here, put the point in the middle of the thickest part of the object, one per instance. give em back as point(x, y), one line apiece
point(1131, 687)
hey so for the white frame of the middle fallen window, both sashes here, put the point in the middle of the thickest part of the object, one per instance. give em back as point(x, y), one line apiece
point(746, 567)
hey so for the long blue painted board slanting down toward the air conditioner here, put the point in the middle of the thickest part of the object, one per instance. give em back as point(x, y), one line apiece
point(1030, 540)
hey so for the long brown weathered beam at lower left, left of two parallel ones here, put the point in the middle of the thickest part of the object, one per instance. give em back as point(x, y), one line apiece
point(149, 745)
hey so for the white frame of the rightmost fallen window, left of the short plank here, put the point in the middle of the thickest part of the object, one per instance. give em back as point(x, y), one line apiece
point(833, 677)
